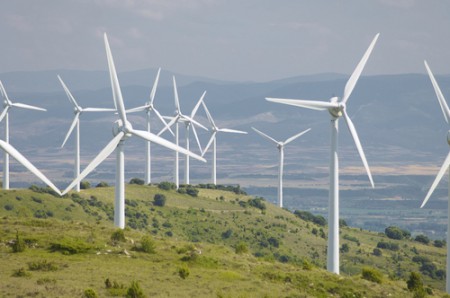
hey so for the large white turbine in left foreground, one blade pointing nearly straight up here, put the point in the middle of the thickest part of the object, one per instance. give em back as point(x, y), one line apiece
point(122, 129)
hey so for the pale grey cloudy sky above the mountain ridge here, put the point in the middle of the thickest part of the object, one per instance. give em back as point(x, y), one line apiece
point(244, 40)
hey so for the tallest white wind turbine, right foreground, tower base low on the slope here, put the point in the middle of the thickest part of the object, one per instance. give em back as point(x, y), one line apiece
point(337, 108)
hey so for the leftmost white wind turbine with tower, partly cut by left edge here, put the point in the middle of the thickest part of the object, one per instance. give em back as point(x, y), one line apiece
point(5, 115)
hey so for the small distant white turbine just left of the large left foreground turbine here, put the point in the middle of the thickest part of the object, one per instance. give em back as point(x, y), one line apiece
point(78, 110)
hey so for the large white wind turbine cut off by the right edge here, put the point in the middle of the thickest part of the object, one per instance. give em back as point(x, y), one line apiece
point(444, 168)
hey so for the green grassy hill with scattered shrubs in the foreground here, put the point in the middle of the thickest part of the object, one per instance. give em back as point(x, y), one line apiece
point(216, 244)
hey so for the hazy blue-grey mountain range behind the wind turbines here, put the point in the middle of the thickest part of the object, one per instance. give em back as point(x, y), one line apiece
point(397, 117)
